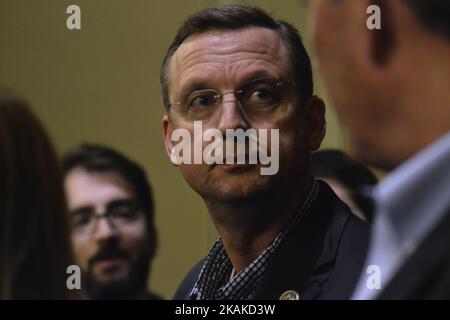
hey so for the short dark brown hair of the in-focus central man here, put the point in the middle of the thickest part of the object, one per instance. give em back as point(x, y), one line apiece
point(237, 17)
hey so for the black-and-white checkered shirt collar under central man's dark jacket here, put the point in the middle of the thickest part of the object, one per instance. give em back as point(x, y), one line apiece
point(213, 281)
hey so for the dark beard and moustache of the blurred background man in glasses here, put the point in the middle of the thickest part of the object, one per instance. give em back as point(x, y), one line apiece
point(128, 285)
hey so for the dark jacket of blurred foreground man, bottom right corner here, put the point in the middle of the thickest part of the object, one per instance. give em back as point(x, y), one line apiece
point(426, 274)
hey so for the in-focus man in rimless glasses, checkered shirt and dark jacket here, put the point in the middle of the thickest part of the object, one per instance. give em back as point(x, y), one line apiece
point(282, 235)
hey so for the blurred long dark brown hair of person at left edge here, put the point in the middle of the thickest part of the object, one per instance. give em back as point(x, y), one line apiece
point(35, 248)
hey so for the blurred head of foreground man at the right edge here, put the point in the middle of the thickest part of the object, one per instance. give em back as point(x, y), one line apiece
point(389, 86)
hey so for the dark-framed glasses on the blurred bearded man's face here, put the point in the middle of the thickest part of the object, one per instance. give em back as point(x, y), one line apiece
point(119, 213)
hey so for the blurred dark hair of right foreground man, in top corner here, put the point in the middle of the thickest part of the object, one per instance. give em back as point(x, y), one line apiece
point(434, 14)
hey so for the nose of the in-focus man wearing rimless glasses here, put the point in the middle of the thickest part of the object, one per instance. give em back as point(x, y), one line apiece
point(231, 115)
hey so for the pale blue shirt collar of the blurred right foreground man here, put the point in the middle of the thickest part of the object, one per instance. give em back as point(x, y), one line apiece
point(416, 194)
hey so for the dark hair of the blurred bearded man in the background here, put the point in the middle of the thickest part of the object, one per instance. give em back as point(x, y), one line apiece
point(97, 158)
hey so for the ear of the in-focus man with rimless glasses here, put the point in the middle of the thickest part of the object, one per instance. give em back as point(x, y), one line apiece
point(315, 122)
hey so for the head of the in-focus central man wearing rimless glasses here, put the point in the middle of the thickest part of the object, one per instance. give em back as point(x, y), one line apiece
point(235, 67)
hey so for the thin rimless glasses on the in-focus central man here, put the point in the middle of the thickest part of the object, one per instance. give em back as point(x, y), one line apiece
point(258, 99)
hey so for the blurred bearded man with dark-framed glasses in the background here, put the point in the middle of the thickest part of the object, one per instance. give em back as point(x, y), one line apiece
point(111, 214)
